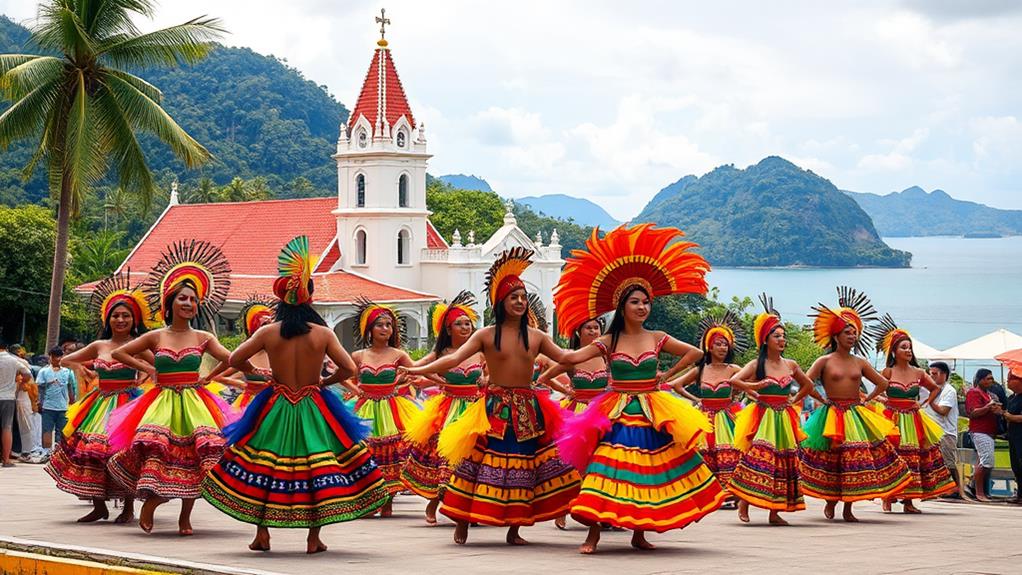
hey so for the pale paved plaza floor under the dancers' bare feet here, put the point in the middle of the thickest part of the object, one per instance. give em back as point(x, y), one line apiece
point(949, 539)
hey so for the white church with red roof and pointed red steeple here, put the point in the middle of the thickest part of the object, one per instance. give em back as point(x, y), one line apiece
point(375, 239)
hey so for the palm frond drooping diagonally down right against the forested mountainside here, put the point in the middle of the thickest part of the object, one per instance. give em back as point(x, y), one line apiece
point(146, 115)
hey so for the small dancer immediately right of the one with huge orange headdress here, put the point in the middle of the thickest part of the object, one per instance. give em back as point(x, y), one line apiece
point(721, 340)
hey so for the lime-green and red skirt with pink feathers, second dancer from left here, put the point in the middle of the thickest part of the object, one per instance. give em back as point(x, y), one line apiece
point(167, 441)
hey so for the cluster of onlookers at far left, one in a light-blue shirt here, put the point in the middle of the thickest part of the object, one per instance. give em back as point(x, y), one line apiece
point(35, 394)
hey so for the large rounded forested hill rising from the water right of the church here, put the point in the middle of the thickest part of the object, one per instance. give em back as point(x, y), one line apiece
point(772, 214)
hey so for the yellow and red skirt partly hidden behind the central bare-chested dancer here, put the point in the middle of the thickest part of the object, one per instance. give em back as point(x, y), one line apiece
point(426, 472)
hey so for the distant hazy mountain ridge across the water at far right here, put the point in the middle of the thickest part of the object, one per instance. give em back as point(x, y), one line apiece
point(914, 213)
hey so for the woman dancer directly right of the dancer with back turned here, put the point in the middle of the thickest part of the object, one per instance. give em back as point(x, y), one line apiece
point(379, 332)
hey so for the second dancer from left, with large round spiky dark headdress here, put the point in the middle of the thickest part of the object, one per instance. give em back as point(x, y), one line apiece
point(170, 438)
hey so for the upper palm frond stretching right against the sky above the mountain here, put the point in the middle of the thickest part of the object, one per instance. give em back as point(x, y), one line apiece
point(187, 43)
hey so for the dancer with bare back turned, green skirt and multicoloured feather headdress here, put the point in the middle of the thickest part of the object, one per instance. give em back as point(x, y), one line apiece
point(297, 459)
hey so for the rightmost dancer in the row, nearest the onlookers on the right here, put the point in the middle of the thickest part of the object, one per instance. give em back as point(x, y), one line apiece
point(919, 444)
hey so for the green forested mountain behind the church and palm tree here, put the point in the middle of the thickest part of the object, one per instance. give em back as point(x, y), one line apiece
point(258, 116)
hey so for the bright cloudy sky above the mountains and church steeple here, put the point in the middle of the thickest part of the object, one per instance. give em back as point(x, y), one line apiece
point(614, 102)
